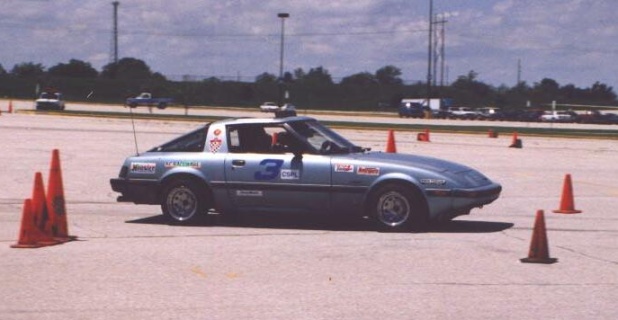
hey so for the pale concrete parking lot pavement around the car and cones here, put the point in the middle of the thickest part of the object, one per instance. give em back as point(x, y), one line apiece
point(129, 263)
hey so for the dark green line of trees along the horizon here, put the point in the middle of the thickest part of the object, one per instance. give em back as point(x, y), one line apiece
point(313, 89)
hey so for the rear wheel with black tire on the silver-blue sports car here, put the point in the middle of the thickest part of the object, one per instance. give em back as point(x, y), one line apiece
point(183, 200)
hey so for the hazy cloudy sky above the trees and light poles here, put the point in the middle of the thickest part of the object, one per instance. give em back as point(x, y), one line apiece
point(569, 41)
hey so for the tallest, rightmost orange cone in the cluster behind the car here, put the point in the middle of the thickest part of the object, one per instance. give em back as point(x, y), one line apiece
point(57, 224)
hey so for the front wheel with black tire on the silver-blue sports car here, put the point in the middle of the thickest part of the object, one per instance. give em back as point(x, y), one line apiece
point(396, 207)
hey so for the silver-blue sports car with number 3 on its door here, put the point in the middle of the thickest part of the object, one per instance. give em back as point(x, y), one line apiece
point(297, 165)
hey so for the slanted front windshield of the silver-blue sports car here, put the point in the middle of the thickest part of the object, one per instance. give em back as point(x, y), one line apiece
point(323, 139)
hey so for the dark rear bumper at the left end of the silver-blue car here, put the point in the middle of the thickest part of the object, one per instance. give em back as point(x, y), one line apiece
point(136, 191)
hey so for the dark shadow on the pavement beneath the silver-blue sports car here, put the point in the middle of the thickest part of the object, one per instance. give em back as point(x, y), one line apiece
point(308, 222)
